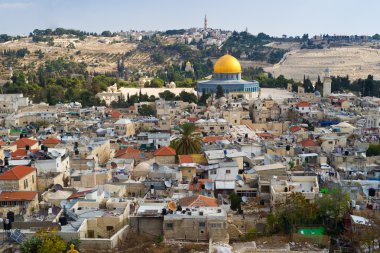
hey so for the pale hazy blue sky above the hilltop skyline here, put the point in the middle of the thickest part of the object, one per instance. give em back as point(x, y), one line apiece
point(274, 17)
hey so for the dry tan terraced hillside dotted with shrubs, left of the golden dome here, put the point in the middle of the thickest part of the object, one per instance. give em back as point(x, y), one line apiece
point(99, 53)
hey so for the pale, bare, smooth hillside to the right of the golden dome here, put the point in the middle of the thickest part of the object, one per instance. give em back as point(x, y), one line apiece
point(354, 61)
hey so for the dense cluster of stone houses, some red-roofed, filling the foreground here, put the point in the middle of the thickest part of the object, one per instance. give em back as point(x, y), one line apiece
point(99, 173)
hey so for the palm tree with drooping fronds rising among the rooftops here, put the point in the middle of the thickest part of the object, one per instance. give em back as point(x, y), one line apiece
point(189, 142)
